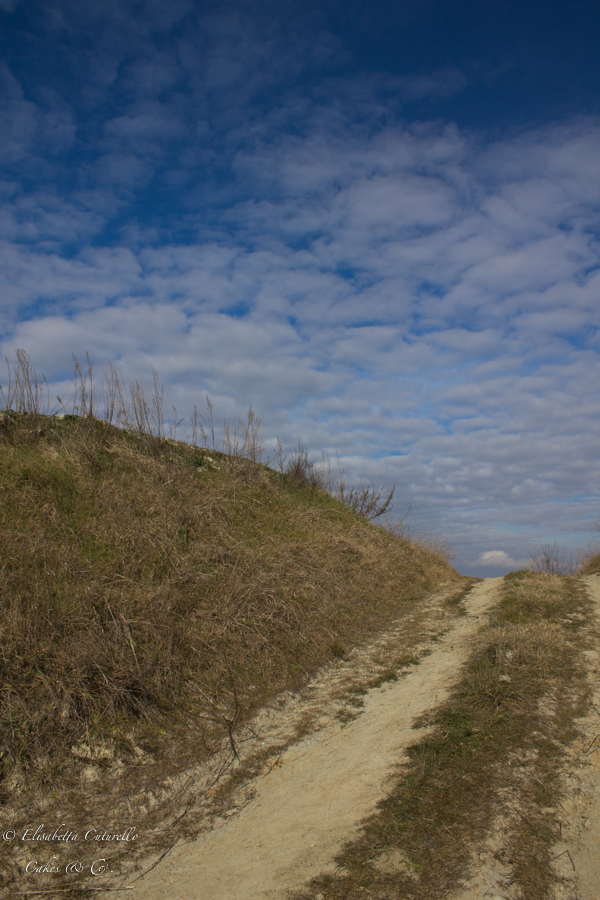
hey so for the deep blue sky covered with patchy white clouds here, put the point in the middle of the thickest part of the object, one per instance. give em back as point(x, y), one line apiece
point(377, 222)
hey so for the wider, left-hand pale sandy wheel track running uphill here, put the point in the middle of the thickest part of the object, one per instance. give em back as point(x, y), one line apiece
point(312, 801)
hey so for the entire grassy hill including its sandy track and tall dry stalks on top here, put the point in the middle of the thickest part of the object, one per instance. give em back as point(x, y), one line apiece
point(201, 650)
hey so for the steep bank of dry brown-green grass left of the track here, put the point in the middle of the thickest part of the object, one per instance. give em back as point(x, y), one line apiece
point(151, 588)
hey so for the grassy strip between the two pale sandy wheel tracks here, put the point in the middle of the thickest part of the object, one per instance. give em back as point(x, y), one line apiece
point(492, 759)
